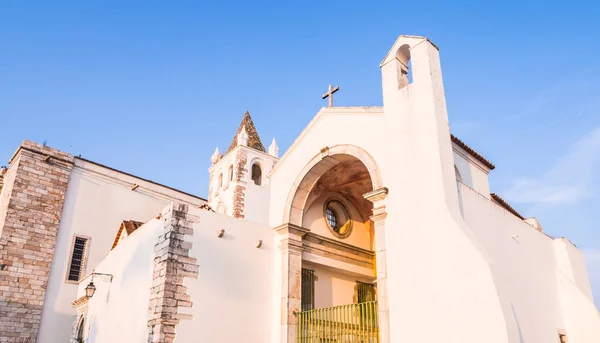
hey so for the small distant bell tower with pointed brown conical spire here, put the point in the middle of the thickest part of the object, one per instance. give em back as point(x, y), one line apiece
point(239, 186)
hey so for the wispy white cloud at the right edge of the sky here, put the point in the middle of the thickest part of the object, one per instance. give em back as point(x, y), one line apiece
point(568, 181)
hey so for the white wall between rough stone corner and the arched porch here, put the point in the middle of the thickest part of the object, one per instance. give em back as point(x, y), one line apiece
point(236, 293)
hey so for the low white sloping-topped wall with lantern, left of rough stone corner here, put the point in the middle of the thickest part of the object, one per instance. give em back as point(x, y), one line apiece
point(118, 311)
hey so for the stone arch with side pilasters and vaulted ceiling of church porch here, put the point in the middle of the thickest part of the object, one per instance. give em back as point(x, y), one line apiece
point(344, 173)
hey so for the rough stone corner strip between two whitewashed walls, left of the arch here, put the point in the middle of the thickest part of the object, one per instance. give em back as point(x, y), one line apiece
point(172, 264)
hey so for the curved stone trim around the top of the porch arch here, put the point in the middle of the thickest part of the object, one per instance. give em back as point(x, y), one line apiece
point(326, 159)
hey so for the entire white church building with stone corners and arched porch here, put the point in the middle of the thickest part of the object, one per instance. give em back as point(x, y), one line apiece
point(386, 231)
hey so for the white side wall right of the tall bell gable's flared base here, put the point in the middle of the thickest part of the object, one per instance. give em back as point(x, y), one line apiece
point(526, 265)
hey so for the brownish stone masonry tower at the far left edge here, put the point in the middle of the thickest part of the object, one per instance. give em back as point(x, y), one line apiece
point(39, 178)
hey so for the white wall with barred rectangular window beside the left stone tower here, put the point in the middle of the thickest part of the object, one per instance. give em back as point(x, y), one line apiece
point(98, 199)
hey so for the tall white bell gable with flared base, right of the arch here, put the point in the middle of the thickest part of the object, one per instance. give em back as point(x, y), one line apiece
point(426, 236)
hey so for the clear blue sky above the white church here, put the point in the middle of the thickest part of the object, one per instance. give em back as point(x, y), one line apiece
point(153, 87)
